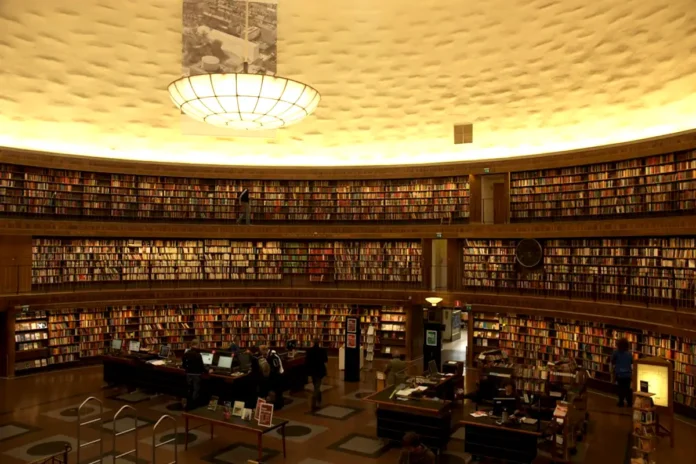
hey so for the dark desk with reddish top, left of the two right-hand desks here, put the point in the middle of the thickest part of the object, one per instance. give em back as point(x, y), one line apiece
point(430, 419)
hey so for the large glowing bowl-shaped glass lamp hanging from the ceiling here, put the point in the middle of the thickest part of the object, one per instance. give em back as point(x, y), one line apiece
point(244, 101)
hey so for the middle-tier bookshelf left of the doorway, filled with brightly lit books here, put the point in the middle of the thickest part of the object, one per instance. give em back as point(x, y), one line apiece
point(64, 261)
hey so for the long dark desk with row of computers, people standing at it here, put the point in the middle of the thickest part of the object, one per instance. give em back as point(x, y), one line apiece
point(170, 379)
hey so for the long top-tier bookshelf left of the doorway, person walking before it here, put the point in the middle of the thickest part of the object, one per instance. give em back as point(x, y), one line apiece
point(33, 191)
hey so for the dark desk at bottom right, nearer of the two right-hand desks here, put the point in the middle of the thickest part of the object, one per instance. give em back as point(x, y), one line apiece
point(485, 438)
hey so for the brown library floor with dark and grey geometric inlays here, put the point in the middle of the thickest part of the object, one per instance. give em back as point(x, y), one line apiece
point(38, 415)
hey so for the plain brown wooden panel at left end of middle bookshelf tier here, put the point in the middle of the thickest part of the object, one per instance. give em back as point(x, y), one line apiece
point(15, 267)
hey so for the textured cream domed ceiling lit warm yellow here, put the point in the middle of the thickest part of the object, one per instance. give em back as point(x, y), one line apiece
point(89, 77)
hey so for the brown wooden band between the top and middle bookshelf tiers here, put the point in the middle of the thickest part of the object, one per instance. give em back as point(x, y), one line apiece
point(664, 226)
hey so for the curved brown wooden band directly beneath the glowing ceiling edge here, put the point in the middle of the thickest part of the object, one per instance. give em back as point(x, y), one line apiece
point(647, 147)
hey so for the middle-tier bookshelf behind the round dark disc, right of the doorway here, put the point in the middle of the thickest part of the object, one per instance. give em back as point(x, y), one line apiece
point(659, 271)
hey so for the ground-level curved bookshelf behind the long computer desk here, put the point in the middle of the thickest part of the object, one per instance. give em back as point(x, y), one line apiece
point(70, 335)
